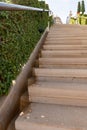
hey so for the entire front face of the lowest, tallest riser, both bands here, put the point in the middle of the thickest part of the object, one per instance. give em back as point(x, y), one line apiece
point(58, 96)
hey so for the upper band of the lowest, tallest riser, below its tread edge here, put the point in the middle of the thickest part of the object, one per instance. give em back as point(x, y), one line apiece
point(58, 93)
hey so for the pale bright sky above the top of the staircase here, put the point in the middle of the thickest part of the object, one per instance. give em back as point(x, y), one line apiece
point(62, 8)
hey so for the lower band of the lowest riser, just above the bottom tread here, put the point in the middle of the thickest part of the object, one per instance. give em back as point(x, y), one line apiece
point(59, 101)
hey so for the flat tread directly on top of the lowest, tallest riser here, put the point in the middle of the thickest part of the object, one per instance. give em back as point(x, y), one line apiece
point(61, 85)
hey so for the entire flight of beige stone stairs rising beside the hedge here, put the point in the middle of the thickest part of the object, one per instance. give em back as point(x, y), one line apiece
point(59, 95)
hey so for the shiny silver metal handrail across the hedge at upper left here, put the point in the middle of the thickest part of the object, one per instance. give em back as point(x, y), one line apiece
point(16, 7)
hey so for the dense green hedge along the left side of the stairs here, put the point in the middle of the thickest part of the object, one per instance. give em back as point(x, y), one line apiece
point(19, 33)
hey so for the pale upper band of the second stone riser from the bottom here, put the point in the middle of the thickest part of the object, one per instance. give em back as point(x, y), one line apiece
point(60, 73)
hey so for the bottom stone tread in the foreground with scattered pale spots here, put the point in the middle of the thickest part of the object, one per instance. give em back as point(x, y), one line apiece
point(52, 117)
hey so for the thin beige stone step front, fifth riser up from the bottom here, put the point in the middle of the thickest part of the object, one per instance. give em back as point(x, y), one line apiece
point(65, 47)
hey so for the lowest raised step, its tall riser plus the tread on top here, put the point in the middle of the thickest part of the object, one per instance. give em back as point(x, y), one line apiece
point(59, 93)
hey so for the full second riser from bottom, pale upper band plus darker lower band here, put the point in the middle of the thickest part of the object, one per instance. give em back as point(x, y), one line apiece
point(64, 75)
